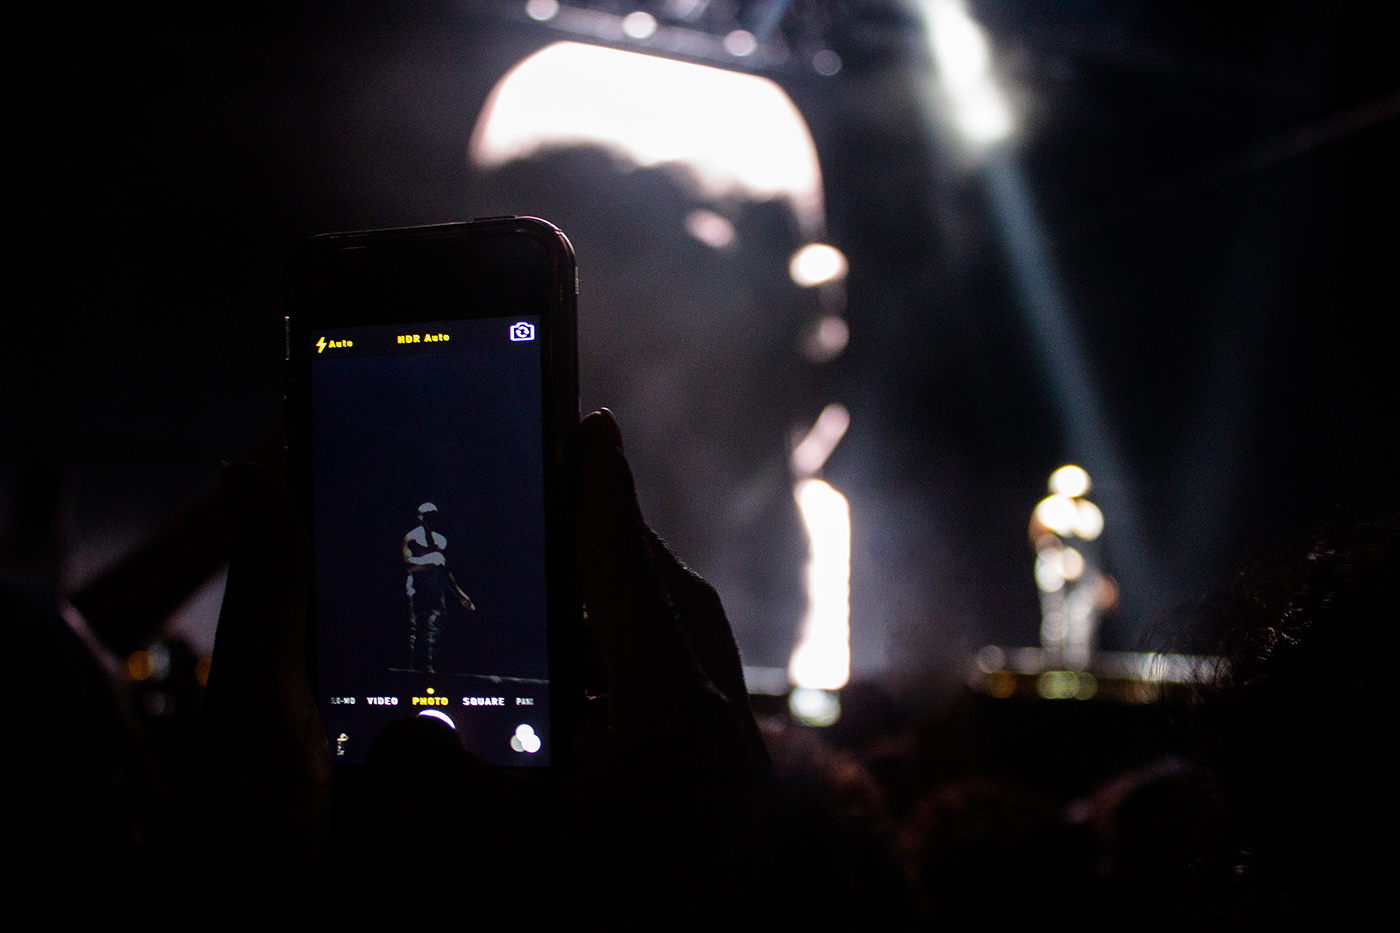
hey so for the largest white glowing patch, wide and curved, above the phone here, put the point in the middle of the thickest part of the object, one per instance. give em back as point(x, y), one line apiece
point(738, 135)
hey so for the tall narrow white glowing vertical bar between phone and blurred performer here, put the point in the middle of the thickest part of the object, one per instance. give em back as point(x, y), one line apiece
point(822, 658)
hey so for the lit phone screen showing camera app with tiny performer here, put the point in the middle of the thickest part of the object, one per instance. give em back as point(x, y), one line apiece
point(428, 487)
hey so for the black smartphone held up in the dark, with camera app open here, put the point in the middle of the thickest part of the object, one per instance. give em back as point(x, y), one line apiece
point(432, 417)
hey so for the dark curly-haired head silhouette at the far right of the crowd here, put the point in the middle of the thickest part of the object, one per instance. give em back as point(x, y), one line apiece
point(1301, 721)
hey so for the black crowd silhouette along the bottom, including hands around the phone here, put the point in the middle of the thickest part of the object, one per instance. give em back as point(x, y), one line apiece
point(1268, 799)
